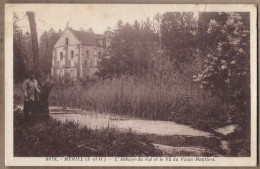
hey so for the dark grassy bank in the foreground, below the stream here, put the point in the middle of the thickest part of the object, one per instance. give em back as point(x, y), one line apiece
point(53, 138)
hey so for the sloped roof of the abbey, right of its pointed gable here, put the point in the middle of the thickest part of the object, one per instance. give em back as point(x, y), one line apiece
point(87, 38)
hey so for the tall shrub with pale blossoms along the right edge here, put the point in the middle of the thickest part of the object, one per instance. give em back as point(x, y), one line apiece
point(226, 66)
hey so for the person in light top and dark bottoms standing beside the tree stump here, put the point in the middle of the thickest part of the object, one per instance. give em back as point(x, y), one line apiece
point(31, 93)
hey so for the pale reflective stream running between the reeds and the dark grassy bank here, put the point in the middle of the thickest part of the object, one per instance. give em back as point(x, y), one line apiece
point(170, 137)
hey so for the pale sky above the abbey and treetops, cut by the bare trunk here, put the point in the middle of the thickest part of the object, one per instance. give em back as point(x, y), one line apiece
point(97, 17)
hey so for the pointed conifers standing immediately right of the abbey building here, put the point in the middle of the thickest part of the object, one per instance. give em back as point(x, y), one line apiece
point(132, 50)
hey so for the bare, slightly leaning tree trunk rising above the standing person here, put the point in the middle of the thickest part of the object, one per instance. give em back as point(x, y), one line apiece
point(35, 48)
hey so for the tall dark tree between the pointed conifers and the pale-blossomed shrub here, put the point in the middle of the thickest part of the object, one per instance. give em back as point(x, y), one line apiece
point(178, 37)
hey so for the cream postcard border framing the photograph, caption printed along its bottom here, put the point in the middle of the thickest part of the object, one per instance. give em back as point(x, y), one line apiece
point(10, 160)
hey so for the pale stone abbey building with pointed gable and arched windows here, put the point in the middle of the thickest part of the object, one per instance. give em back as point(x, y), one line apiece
point(77, 53)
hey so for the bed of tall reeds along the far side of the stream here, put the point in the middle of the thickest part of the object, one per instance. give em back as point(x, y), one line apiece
point(148, 98)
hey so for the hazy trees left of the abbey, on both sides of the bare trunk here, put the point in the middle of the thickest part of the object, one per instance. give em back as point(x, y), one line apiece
point(23, 53)
